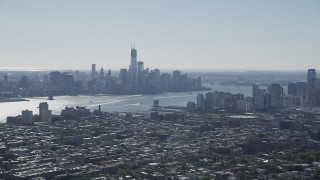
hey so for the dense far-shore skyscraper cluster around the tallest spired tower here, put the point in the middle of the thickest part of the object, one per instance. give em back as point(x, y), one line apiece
point(137, 79)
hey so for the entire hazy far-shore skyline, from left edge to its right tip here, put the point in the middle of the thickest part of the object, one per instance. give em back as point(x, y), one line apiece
point(133, 80)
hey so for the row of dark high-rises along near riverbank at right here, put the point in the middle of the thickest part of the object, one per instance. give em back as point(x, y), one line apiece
point(273, 97)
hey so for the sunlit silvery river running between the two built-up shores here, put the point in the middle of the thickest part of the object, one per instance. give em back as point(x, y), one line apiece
point(113, 103)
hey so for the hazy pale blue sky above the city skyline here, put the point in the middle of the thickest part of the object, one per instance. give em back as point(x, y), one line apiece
point(168, 34)
